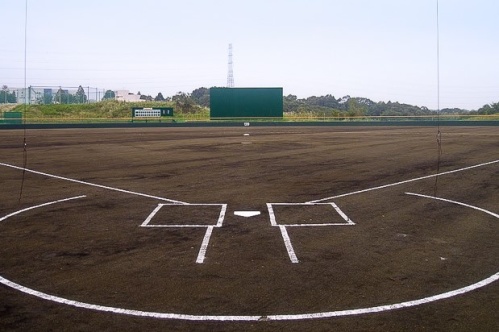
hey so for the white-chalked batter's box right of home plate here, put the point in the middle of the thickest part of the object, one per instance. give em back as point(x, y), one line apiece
point(307, 215)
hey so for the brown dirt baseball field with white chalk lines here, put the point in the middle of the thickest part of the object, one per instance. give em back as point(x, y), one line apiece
point(140, 229)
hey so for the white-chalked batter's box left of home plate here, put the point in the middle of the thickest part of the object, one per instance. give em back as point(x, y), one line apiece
point(186, 215)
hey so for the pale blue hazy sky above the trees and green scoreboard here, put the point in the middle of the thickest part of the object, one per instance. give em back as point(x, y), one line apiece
point(384, 50)
